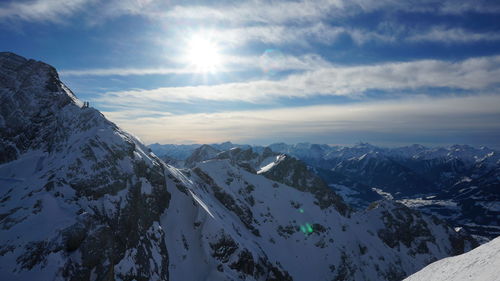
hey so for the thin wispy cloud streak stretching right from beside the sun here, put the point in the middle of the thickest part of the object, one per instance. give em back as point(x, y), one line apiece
point(322, 33)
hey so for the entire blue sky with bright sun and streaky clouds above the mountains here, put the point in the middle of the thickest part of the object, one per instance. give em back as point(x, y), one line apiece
point(338, 72)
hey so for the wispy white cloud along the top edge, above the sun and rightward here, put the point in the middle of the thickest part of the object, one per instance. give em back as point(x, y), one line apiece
point(280, 12)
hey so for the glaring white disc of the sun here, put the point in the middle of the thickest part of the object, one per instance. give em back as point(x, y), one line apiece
point(203, 54)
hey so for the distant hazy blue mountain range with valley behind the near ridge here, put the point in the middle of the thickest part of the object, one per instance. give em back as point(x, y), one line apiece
point(460, 183)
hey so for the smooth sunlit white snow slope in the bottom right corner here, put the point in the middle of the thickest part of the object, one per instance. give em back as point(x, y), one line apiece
point(480, 264)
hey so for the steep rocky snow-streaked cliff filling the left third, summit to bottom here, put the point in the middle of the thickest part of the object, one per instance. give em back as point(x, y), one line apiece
point(81, 199)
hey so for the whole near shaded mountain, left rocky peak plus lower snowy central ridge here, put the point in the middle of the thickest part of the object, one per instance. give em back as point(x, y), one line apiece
point(80, 199)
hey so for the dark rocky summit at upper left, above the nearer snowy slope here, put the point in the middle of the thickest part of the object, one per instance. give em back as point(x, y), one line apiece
point(39, 110)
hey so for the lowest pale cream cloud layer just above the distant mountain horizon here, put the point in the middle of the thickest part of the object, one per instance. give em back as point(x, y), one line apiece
point(418, 115)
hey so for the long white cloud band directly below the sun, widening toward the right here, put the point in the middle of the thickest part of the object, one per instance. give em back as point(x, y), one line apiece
point(472, 74)
